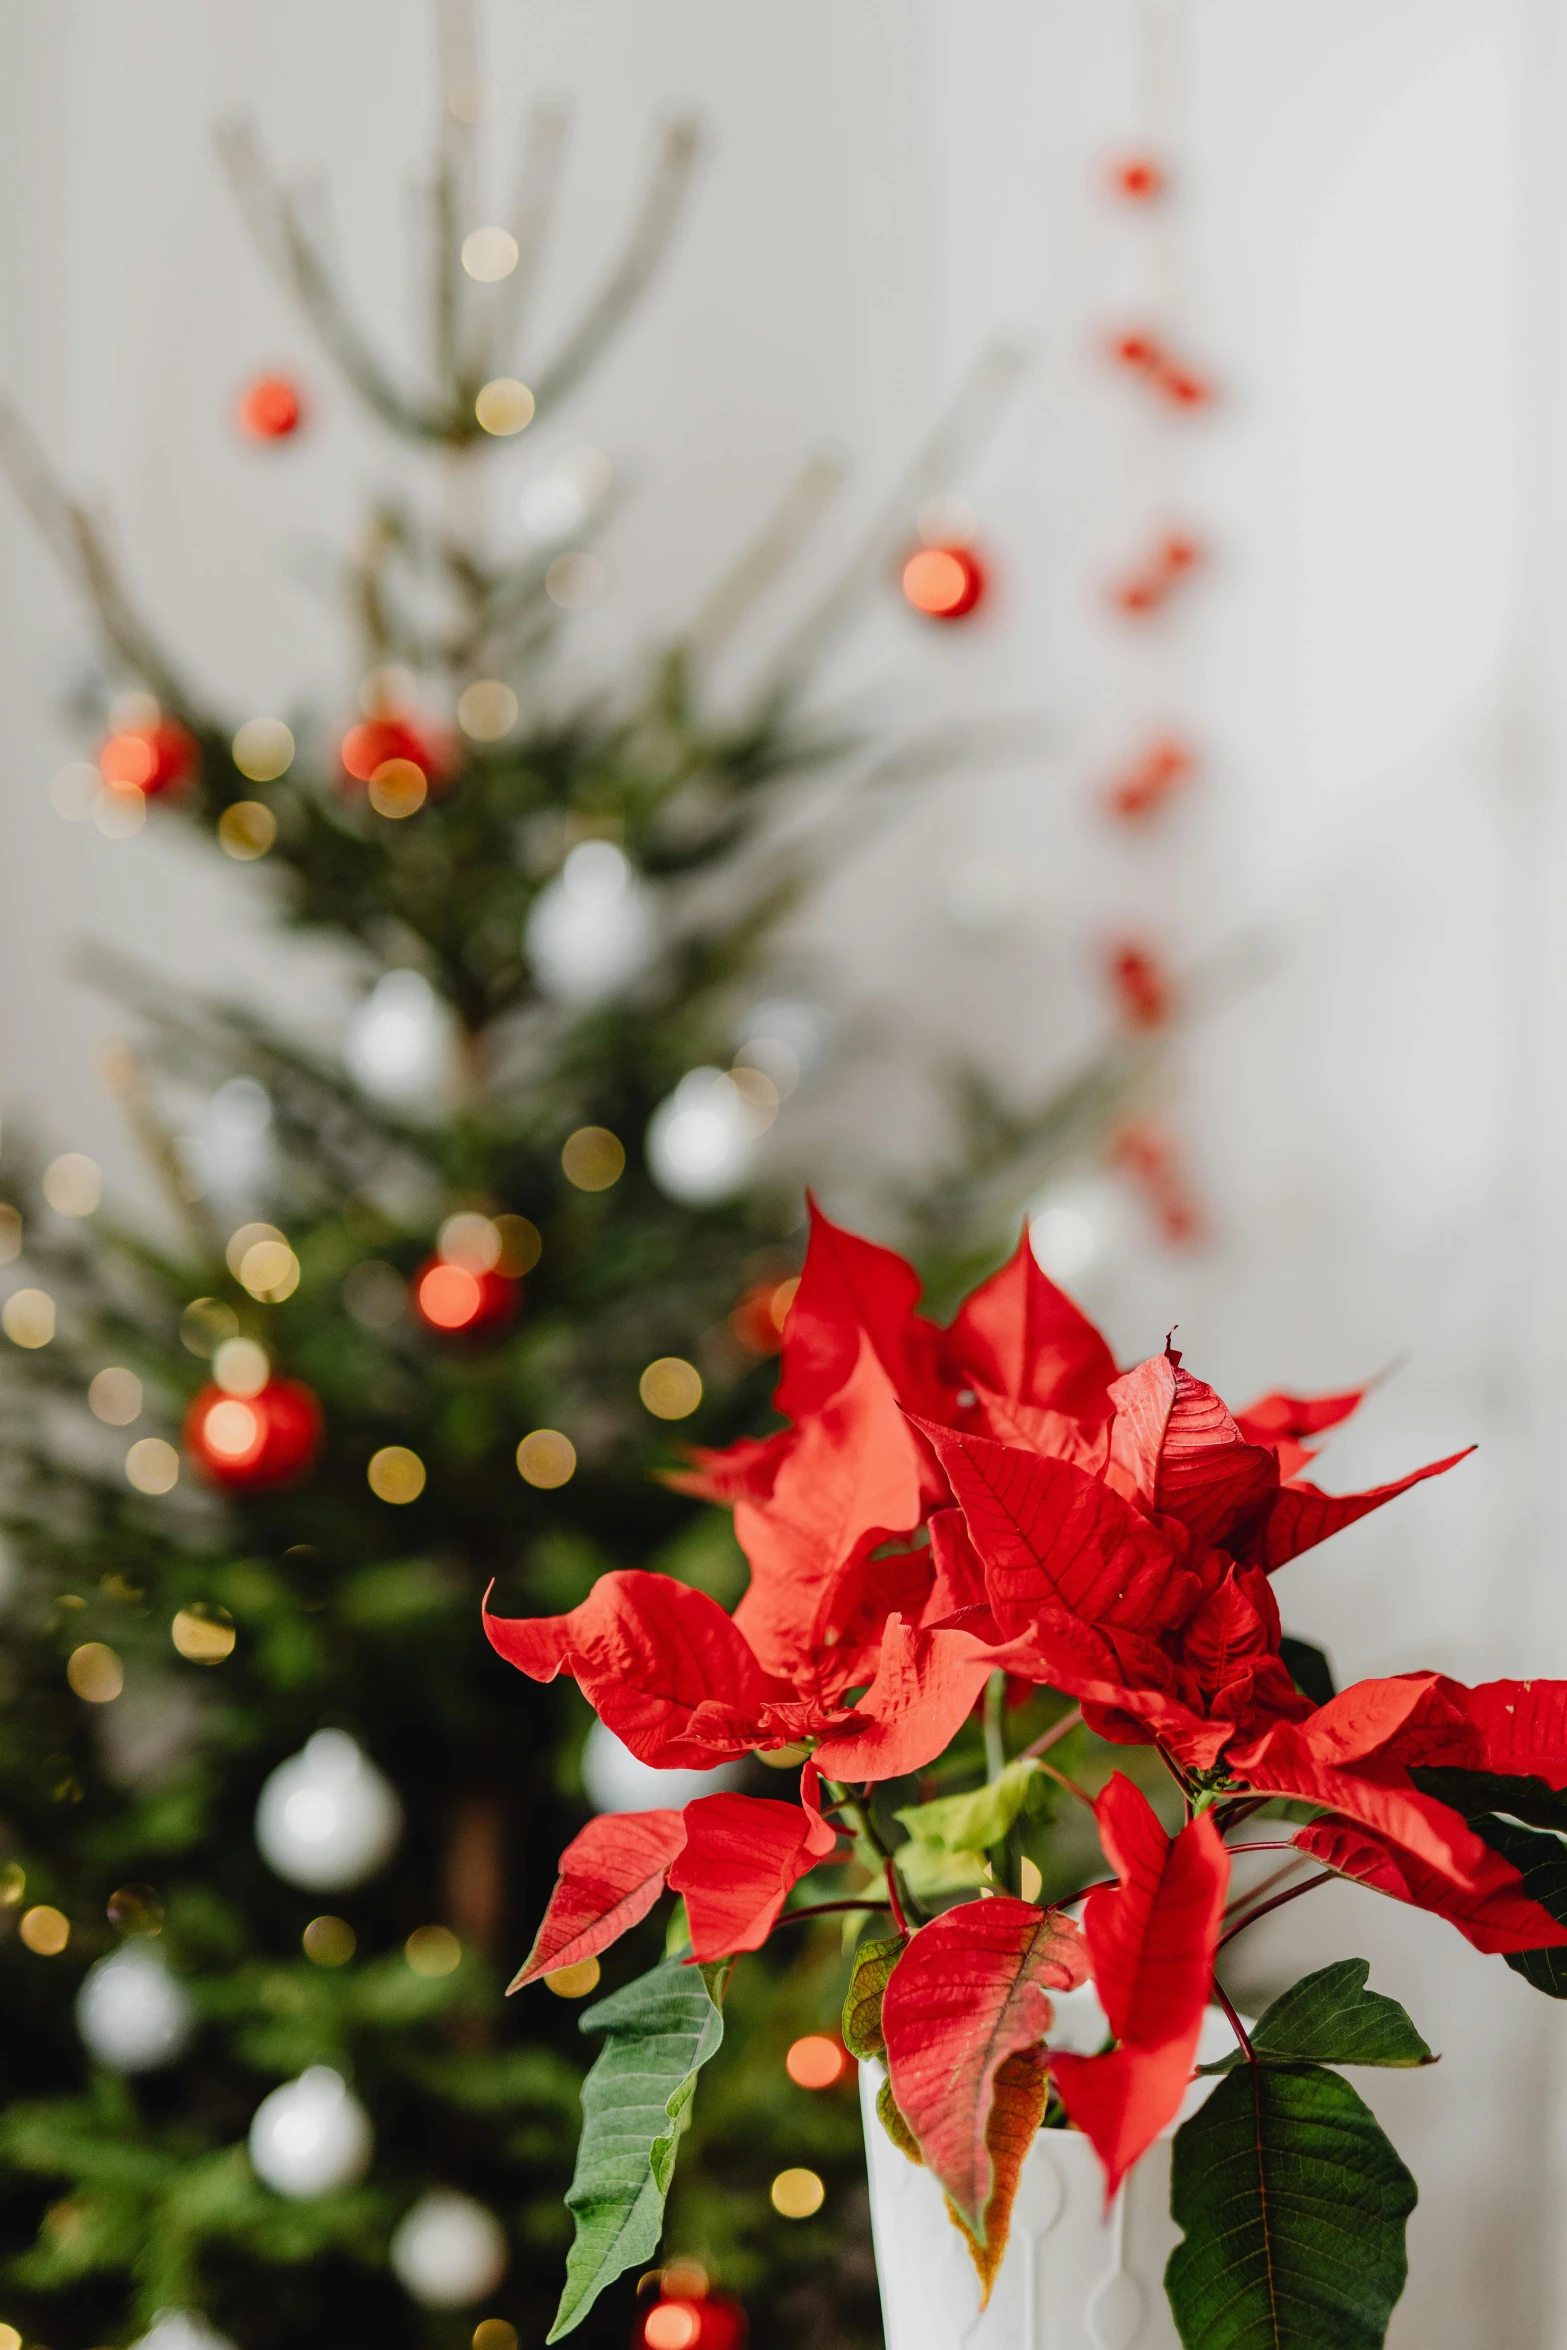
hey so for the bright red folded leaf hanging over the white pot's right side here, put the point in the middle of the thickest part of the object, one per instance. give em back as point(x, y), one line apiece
point(1152, 1947)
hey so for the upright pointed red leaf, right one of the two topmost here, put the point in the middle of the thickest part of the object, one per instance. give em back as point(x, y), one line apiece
point(1025, 1341)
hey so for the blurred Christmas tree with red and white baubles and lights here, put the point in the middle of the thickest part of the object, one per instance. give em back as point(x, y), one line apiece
point(426, 1320)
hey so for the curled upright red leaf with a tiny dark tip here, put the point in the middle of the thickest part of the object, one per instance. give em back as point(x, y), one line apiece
point(1178, 1451)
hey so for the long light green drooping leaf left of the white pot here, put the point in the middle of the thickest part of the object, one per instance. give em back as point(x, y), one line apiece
point(635, 2104)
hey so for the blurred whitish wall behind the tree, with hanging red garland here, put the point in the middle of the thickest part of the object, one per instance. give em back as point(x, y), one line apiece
point(1324, 358)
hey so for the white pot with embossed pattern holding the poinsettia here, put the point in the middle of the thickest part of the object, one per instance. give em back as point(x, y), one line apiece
point(1075, 2278)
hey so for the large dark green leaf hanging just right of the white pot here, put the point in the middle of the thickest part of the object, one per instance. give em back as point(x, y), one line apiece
point(1293, 2210)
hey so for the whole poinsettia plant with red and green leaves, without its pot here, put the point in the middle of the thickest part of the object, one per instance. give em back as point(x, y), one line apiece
point(953, 1517)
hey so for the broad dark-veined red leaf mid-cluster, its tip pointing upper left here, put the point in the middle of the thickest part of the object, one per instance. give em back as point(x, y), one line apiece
point(1054, 1536)
